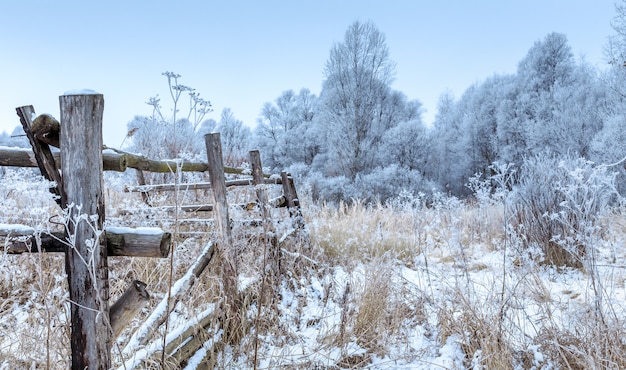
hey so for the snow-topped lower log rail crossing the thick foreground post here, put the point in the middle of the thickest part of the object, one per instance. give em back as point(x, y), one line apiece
point(120, 241)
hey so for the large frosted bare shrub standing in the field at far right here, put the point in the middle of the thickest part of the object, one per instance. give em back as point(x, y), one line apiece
point(556, 204)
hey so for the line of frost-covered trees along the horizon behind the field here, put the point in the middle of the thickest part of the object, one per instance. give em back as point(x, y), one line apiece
point(361, 139)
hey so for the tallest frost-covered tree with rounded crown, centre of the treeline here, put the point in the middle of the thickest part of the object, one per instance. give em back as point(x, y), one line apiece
point(354, 96)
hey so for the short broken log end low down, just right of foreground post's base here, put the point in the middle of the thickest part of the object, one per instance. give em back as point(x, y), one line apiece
point(127, 306)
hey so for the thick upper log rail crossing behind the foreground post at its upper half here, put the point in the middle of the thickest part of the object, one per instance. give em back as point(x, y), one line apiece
point(21, 157)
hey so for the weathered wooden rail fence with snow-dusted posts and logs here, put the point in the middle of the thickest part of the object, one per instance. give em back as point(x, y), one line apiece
point(77, 171)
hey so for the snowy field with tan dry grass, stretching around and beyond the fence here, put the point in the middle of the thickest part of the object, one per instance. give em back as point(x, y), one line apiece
point(406, 285)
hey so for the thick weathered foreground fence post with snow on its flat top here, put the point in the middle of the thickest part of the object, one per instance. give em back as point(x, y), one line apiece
point(86, 254)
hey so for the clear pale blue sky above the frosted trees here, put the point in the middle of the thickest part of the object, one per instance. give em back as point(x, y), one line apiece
point(241, 54)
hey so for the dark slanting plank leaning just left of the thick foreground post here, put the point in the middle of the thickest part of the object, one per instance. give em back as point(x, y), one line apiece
point(41, 151)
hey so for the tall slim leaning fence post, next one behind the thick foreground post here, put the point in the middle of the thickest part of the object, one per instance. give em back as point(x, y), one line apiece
point(225, 247)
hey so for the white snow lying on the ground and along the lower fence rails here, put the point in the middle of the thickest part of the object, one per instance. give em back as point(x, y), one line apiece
point(450, 272)
